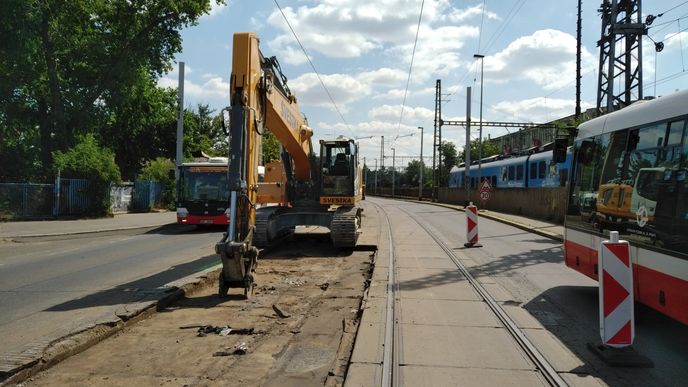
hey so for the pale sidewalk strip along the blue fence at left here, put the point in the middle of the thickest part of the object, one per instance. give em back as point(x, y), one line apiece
point(10, 230)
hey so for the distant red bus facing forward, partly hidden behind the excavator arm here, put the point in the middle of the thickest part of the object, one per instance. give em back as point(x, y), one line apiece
point(202, 193)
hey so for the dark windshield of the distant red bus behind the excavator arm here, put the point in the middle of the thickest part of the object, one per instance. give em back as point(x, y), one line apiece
point(197, 184)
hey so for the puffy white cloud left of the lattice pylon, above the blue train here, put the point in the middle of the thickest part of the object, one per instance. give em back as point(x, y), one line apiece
point(547, 58)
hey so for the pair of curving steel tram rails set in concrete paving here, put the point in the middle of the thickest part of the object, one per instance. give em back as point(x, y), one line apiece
point(392, 348)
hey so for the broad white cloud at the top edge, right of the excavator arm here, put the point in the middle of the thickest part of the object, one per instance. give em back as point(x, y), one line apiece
point(354, 28)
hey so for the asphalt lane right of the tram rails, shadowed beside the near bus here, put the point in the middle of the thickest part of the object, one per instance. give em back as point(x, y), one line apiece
point(531, 270)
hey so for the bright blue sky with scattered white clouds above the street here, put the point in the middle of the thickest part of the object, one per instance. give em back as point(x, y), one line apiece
point(362, 50)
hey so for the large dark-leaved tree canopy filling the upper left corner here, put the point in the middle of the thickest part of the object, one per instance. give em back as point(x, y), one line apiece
point(66, 67)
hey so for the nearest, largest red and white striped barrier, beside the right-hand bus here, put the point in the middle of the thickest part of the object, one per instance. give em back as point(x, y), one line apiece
point(617, 328)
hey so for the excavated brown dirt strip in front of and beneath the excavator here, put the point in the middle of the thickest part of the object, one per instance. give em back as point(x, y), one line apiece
point(319, 287)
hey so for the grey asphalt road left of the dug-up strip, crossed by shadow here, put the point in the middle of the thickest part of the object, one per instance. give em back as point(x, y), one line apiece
point(54, 286)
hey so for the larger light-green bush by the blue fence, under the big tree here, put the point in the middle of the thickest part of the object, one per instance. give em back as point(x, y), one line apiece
point(87, 160)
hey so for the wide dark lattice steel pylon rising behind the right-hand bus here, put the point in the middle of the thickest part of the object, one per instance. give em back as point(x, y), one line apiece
point(620, 54)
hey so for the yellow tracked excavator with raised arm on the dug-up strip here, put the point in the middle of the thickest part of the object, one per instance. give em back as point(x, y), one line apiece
point(315, 190)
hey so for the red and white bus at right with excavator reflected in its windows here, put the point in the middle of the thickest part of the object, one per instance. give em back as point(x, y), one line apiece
point(630, 174)
